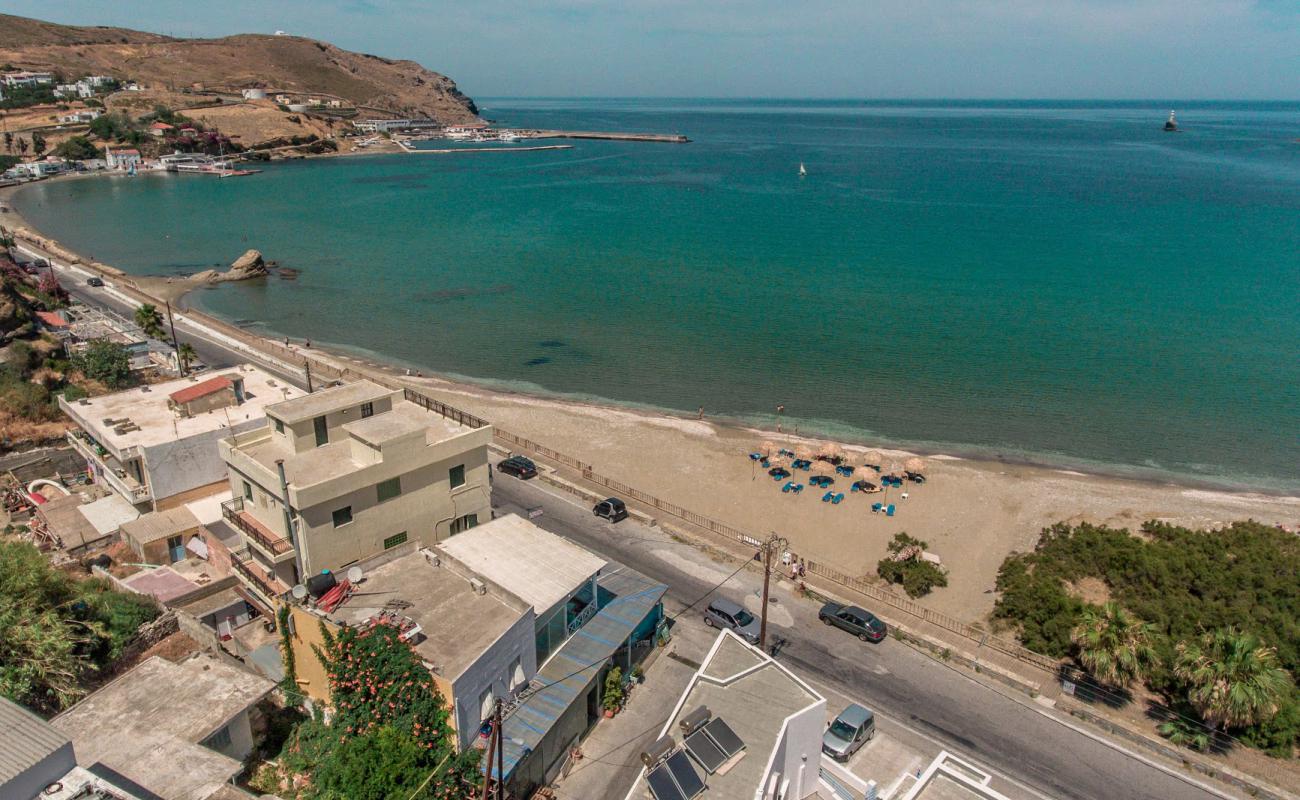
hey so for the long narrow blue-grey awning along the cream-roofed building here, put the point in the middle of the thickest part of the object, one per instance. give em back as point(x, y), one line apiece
point(574, 667)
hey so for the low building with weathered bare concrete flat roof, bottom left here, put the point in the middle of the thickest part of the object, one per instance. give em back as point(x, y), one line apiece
point(179, 730)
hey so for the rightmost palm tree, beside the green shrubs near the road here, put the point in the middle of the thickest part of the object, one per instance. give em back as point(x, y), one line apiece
point(1233, 680)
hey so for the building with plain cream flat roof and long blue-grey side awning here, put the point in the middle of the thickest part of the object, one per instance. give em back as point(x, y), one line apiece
point(590, 616)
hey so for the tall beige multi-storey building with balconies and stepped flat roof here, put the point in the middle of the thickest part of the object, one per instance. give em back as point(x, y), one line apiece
point(341, 475)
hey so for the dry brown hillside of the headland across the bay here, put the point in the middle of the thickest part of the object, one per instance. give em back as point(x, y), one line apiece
point(280, 64)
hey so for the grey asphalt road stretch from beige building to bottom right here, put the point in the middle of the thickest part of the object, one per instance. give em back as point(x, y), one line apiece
point(1029, 745)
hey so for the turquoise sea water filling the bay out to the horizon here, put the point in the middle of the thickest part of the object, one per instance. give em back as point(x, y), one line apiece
point(1059, 282)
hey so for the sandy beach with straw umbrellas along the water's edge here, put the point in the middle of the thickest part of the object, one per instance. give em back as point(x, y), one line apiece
point(972, 512)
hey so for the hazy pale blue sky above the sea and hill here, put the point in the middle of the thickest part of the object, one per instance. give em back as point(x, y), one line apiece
point(775, 49)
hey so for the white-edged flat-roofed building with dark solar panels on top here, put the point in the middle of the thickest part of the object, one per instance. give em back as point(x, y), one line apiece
point(778, 719)
